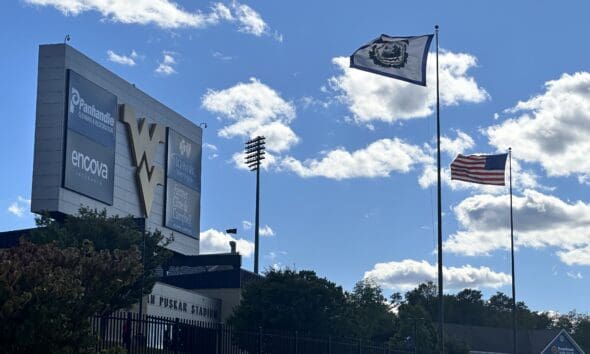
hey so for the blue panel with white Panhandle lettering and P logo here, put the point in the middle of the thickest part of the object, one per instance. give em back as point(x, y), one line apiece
point(92, 110)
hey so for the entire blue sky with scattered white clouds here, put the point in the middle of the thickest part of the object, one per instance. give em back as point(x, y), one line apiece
point(348, 188)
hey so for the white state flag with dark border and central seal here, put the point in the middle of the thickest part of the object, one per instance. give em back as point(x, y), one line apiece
point(403, 58)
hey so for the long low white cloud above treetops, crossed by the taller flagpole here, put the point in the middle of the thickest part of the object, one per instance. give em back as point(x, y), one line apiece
point(407, 274)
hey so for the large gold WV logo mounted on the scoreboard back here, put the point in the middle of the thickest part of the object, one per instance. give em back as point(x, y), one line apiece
point(144, 142)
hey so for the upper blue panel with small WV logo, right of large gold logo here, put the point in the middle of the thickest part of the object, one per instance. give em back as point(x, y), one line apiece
point(184, 160)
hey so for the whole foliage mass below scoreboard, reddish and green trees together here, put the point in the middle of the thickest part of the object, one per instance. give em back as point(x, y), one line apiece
point(86, 265)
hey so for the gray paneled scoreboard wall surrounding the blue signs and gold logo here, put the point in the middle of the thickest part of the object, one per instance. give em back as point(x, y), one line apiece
point(47, 192)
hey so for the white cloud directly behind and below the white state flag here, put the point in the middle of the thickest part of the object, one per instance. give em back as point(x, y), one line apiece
point(373, 97)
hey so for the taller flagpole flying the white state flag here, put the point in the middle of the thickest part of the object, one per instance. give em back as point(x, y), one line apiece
point(440, 267)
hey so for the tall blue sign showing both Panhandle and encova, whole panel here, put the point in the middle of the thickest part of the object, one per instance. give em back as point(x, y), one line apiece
point(90, 139)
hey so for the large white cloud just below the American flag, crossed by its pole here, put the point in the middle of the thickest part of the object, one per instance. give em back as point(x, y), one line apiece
point(540, 221)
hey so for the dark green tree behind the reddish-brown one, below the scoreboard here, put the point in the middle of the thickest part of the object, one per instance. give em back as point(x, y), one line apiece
point(112, 234)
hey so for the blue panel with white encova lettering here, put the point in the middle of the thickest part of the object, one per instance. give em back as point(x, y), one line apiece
point(89, 168)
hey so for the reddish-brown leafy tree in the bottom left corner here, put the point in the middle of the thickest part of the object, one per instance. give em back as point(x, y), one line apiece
point(47, 294)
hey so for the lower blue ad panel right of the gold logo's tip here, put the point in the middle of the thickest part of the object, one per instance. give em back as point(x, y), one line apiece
point(182, 208)
